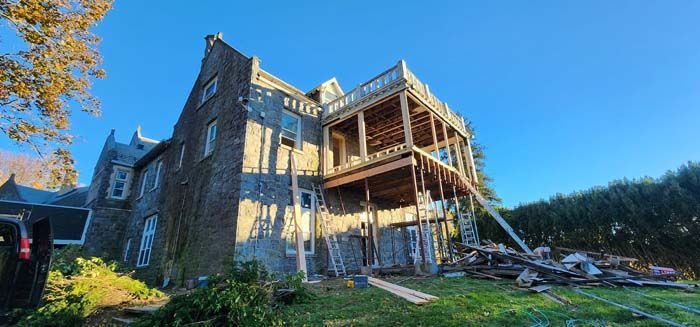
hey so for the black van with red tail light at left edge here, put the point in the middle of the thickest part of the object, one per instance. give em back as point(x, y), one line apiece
point(24, 262)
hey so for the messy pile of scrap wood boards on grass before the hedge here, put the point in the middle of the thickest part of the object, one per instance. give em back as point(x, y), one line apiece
point(573, 267)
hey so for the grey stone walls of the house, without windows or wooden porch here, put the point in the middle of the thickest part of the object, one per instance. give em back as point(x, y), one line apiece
point(232, 203)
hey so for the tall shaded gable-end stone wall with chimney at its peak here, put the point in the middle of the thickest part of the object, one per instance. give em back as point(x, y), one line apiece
point(201, 203)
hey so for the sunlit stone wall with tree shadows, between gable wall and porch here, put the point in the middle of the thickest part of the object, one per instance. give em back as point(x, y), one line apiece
point(265, 188)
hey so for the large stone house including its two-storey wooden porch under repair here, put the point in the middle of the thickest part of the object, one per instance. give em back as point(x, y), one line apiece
point(219, 189)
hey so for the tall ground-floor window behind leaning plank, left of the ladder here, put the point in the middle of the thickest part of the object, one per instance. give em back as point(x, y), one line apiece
point(307, 222)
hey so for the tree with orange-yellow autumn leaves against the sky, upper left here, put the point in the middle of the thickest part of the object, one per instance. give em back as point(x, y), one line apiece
point(51, 73)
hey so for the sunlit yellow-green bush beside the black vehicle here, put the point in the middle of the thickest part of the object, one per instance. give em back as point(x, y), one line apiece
point(76, 287)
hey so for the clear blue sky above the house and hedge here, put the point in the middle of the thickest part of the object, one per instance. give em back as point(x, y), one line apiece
point(564, 95)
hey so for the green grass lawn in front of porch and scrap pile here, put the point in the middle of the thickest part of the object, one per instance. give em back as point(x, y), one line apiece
point(472, 302)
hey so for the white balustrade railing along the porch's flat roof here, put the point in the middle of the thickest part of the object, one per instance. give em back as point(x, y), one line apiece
point(397, 73)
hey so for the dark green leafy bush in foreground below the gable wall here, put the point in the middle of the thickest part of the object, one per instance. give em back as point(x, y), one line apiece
point(245, 296)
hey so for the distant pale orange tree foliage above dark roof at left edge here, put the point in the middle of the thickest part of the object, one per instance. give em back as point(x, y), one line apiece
point(28, 170)
